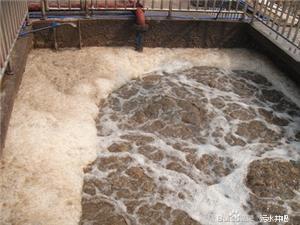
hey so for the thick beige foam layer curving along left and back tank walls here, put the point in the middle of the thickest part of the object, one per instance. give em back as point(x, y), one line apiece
point(52, 133)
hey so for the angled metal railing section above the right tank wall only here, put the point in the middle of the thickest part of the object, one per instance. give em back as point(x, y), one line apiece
point(282, 17)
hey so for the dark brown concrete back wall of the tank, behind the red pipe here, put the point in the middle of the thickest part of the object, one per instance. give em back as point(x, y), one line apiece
point(161, 33)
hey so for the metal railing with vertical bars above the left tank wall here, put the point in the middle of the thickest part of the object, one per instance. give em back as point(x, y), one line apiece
point(12, 16)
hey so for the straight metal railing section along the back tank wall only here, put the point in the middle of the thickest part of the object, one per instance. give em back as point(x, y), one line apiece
point(230, 9)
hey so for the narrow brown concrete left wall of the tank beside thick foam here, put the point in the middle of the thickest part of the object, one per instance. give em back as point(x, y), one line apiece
point(10, 83)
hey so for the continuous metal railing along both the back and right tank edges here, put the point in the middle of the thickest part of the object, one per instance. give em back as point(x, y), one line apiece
point(280, 16)
